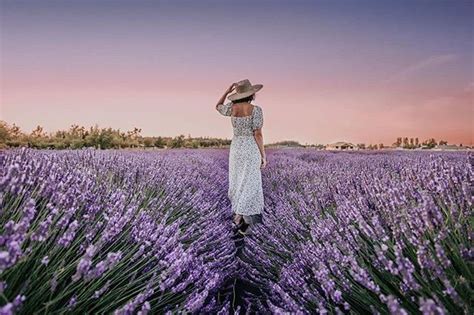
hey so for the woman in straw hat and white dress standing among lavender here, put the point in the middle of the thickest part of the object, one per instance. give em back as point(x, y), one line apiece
point(247, 155)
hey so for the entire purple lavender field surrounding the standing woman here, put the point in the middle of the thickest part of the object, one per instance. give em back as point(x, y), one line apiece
point(128, 232)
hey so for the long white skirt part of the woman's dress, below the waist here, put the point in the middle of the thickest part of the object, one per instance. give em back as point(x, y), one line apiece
point(245, 178)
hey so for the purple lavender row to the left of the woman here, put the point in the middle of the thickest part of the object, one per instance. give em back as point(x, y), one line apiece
point(113, 232)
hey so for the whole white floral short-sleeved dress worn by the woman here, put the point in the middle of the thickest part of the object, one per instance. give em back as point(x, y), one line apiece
point(245, 178)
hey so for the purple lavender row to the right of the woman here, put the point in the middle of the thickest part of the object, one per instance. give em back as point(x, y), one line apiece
point(364, 233)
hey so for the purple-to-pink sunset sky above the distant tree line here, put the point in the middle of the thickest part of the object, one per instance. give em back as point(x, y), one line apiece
point(359, 71)
